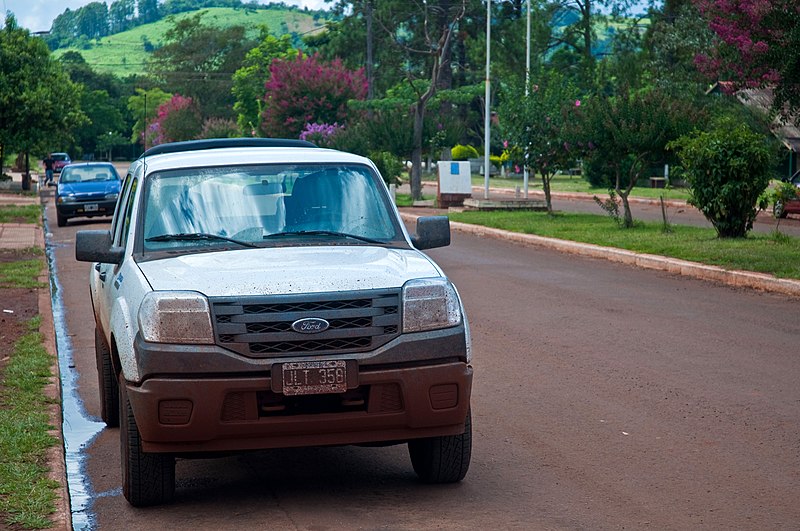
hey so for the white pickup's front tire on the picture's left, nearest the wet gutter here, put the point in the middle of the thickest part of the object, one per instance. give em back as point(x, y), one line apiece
point(147, 478)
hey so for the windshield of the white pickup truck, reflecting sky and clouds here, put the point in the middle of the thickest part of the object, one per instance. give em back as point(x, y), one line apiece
point(266, 205)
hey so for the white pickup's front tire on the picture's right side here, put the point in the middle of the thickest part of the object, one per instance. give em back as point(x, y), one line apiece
point(442, 459)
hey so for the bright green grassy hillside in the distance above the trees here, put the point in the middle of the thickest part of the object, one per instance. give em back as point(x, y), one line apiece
point(124, 54)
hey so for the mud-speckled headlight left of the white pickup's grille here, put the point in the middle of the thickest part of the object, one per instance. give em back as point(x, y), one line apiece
point(175, 317)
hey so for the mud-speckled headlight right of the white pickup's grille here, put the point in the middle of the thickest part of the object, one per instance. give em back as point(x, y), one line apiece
point(429, 304)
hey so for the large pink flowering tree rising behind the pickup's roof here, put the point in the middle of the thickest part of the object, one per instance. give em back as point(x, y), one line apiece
point(306, 90)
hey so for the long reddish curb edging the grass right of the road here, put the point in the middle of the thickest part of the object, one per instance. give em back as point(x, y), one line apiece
point(744, 279)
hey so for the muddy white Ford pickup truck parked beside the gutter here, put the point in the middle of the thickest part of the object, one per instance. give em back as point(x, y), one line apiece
point(264, 293)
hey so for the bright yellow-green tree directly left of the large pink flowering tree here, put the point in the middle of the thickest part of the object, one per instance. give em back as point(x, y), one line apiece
point(250, 79)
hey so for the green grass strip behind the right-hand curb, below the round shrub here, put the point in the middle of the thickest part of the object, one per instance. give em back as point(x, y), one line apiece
point(775, 254)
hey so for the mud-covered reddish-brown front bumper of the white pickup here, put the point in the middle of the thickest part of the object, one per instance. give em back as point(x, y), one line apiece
point(221, 414)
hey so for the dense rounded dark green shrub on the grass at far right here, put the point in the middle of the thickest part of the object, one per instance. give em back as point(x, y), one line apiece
point(727, 170)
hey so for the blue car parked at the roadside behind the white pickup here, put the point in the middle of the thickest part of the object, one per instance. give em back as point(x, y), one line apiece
point(86, 189)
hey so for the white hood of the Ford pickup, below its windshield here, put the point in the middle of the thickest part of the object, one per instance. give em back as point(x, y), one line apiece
point(287, 270)
